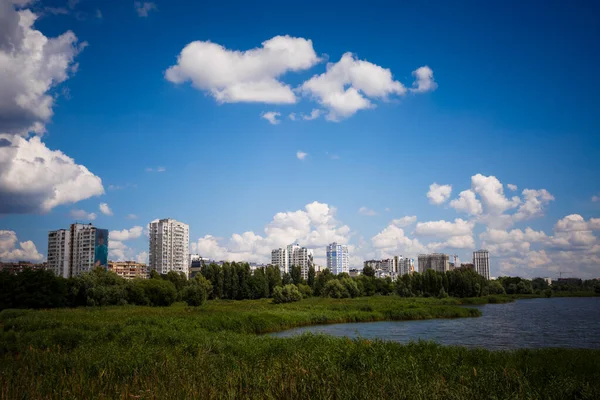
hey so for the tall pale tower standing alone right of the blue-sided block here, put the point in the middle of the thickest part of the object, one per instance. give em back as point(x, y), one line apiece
point(169, 246)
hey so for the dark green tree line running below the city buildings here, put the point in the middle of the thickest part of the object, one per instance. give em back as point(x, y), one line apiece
point(236, 281)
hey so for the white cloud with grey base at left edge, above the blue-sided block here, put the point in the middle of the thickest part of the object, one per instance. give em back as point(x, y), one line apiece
point(34, 178)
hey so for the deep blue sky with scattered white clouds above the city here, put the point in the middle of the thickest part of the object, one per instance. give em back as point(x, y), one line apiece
point(397, 128)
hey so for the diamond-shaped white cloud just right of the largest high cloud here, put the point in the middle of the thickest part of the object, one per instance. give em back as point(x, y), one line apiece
point(347, 85)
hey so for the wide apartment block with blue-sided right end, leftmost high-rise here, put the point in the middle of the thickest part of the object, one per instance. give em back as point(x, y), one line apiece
point(77, 250)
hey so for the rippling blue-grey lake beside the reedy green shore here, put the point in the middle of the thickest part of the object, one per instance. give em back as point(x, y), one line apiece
point(533, 323)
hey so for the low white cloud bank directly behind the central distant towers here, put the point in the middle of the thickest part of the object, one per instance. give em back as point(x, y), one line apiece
point(314, 227)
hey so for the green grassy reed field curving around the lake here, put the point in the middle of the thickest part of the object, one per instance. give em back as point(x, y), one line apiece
point(217, 351)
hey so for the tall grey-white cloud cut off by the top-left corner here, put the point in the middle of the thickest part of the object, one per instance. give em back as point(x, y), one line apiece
point(31, 64)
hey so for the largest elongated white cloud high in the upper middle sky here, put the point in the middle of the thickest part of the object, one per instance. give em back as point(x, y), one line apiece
point(232, 76)
